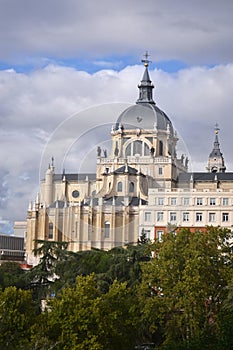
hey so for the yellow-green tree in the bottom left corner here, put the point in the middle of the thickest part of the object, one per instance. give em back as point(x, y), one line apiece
point(17, 316)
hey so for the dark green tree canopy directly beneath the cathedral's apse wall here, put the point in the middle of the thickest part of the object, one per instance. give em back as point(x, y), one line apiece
point(119, 263)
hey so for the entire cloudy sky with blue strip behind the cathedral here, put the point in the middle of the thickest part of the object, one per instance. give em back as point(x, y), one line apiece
point(65, 63)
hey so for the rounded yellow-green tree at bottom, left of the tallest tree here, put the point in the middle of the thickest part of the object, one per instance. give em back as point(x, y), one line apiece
point(84, 318)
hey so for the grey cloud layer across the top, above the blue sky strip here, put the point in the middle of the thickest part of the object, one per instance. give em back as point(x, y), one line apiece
point(197, 32)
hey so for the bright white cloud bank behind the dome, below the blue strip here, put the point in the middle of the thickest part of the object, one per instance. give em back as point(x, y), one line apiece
point(33, 105)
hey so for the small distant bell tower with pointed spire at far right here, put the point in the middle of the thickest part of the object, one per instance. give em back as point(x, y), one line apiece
point(216, 160)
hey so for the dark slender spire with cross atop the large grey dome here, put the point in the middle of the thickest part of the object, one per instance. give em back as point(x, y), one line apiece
point(146, 86)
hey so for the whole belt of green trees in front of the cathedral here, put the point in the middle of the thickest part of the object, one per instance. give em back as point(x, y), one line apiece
point(175, 294)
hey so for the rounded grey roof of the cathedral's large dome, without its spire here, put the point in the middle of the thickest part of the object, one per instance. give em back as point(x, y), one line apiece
point(144, 116)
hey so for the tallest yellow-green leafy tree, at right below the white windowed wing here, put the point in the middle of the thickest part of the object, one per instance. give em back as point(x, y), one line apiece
point(184, 285)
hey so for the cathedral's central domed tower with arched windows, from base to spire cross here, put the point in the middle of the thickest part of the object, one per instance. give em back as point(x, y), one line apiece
point(143, 137)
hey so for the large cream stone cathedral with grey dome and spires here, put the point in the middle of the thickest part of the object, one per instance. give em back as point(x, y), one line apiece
point(141, 186)
